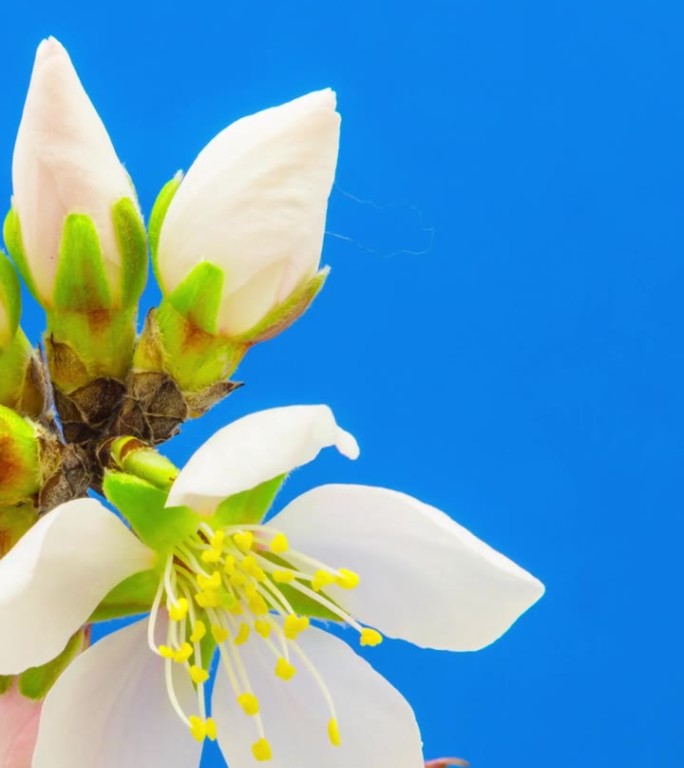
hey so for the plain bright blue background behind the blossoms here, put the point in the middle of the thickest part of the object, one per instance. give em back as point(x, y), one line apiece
point(502, 329)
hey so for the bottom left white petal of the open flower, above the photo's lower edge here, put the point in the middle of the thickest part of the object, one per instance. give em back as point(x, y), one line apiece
point(109, 709)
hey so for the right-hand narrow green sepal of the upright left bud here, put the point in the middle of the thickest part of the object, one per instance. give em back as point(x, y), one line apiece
point(132, 240)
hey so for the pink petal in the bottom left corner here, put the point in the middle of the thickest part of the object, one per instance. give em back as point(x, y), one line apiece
point(19, 718)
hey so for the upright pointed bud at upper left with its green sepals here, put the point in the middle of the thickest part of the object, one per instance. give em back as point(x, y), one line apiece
point(74, 230)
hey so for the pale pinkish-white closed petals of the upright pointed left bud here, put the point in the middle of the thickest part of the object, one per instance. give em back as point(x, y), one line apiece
point(64, 163)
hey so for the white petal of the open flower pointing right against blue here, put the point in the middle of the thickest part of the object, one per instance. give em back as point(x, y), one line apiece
point(424, 578)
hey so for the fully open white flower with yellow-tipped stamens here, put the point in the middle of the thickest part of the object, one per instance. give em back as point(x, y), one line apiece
point(285, 690)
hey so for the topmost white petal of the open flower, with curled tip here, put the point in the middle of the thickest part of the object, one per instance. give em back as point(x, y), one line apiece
point(254, 449)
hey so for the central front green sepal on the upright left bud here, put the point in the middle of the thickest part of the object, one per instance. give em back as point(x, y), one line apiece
point(81, 282)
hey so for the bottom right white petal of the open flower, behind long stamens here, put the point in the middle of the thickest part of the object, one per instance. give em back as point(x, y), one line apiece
point(377, 726)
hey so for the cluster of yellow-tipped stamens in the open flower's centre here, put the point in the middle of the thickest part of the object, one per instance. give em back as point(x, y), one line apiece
point(223, 588)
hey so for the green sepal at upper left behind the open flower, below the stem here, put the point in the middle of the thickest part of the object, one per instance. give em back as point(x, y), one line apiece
point(143, 507)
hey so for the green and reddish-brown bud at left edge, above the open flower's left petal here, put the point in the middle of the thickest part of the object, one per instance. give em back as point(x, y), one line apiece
point(20, 474)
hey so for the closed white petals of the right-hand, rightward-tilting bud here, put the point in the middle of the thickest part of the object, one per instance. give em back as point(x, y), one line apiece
point(254, 204)
